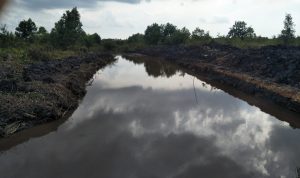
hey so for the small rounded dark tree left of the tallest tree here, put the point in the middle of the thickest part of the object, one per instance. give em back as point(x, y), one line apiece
point(26, 29)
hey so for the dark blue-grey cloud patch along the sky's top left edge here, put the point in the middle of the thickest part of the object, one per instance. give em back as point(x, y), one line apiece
point(58, 4)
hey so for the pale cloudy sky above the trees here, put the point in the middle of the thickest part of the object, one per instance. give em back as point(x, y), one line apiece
point(122, 18)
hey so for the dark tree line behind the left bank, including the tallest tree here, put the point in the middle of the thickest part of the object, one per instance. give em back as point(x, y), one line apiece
point(65, 33)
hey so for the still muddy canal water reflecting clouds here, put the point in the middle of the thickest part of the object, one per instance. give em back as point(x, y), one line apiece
point(148, 119)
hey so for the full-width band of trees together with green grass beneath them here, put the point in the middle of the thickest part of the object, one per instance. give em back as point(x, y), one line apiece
point(68, 38)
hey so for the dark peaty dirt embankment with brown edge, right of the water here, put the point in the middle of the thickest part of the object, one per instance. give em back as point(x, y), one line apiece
point(271, 72)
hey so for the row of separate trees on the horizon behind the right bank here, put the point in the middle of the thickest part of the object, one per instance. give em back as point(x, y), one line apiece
point(169, 34)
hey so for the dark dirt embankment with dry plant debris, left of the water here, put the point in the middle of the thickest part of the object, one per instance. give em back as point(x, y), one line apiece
point(44, 91)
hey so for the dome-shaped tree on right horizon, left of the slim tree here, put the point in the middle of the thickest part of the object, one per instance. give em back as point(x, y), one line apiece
point(240, 30)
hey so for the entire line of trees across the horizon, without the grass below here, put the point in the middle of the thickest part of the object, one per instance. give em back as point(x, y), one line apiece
point(68, 32)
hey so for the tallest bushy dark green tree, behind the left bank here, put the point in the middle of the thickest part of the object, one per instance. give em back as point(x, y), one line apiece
point(68, 30)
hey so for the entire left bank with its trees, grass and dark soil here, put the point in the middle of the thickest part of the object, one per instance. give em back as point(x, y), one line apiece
point(44, 75)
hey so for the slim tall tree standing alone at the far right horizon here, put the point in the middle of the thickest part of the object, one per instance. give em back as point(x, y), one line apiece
point(288, 31)
